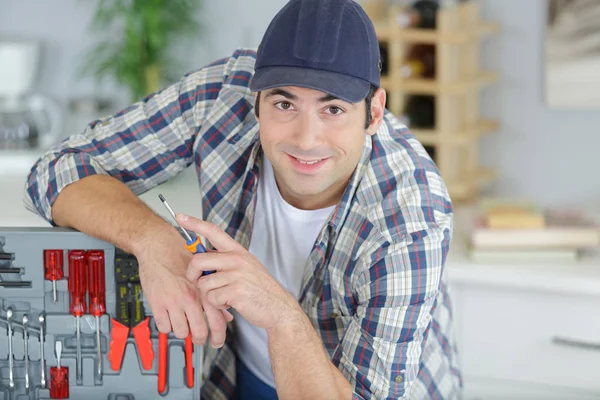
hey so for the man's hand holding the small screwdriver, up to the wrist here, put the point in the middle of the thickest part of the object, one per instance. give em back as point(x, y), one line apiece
point(240, 280)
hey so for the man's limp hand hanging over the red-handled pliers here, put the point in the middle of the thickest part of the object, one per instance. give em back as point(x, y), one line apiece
point(175, 301)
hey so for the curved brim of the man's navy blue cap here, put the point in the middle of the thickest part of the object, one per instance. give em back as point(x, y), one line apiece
point(345, 87)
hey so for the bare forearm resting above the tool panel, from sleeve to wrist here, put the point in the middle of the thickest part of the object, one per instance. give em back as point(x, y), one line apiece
point(105, 208)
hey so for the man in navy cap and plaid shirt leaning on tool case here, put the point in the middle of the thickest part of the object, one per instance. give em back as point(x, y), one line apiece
point(329, 224)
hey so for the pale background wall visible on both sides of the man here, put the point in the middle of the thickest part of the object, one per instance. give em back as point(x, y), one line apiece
point(547, 155)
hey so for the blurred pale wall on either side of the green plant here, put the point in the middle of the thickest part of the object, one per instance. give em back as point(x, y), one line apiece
point(61, 25)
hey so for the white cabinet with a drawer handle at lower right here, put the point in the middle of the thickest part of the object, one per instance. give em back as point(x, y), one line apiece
point(527, 332)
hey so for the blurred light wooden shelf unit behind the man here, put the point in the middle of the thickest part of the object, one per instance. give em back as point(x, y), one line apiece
point(456, 88)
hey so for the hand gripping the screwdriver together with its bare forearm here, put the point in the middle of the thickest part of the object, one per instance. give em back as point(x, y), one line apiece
point(241, 282)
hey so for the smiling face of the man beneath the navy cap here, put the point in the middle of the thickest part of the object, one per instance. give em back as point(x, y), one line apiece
point(314, 142)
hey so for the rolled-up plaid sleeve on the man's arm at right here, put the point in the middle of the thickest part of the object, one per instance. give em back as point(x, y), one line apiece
point(381, 350)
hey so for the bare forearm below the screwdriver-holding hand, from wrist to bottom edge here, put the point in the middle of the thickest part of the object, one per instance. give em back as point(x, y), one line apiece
point(301, 366)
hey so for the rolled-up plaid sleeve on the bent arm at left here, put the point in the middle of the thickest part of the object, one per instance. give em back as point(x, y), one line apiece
point(143, 145)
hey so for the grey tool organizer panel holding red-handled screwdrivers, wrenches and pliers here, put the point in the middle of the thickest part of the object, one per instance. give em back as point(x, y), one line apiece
point(56, 282)
